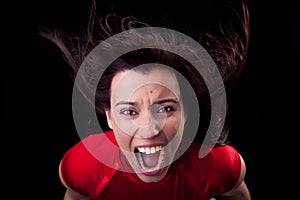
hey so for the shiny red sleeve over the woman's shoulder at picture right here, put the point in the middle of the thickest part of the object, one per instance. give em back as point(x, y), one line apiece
point(216, 173)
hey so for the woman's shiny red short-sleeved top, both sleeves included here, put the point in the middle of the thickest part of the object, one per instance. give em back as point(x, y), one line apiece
point(189, 177)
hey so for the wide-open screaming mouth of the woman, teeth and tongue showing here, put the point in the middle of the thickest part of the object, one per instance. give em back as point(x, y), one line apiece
point(150, 158)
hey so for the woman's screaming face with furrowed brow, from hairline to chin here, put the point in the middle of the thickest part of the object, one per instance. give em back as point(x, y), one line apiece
point(147, 118)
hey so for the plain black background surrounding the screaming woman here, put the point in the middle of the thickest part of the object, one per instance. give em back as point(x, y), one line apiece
point(259, 105)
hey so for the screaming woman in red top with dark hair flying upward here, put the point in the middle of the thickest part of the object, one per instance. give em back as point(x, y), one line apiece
point(146, 151)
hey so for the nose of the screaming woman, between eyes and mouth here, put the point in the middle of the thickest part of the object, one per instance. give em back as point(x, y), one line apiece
point(148, 127)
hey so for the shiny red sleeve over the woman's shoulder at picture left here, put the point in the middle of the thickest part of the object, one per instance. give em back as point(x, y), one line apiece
point(82, 171)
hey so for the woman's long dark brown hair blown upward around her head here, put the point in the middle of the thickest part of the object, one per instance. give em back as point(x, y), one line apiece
point(228, 48)
